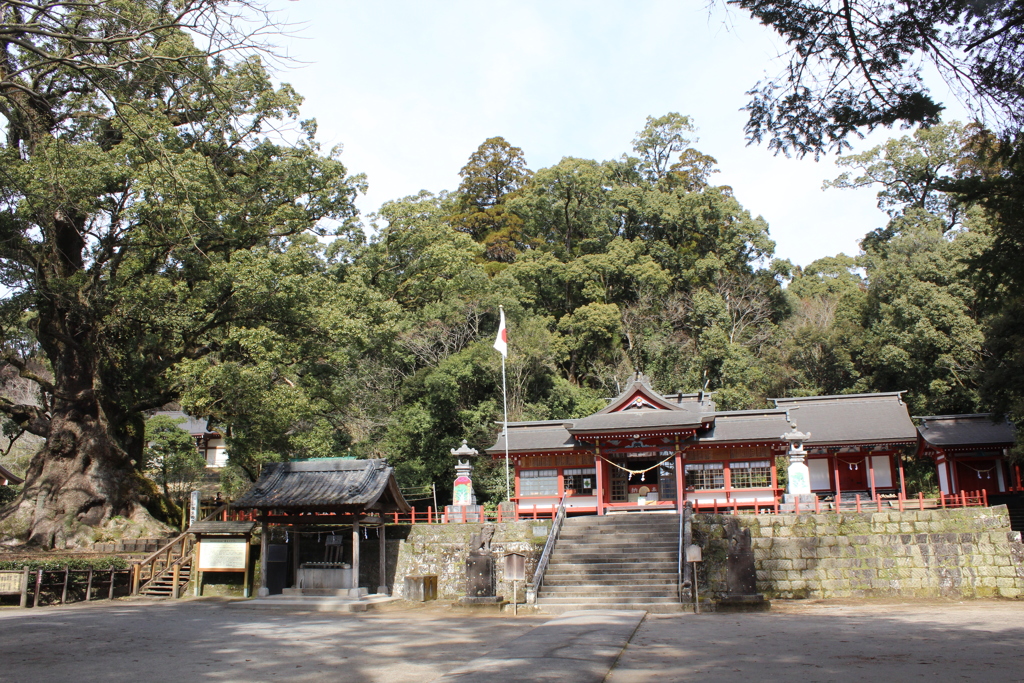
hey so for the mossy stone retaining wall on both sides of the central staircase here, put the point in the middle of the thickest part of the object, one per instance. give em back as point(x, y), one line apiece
point(962, 553)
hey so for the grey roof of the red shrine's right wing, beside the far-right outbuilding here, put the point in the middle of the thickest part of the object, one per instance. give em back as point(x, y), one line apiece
point(863, 418)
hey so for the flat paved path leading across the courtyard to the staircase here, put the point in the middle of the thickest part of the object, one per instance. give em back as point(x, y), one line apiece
point(577, 648)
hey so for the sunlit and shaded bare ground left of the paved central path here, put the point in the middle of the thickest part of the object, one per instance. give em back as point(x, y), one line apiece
point(211, 642)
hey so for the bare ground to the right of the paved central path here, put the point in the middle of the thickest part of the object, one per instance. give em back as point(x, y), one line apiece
point(942, 642)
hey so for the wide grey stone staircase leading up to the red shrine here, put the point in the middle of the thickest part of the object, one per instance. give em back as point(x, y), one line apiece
point(619, 562)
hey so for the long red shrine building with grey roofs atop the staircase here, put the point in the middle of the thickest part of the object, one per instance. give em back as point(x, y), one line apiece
point(651, 451)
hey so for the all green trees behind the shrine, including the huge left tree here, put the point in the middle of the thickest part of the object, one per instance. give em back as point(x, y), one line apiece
point(160, 244)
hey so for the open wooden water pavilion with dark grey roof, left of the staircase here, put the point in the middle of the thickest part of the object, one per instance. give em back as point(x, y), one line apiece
point(325, 493)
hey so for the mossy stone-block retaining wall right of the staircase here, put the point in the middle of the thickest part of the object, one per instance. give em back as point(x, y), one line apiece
point(963, 553)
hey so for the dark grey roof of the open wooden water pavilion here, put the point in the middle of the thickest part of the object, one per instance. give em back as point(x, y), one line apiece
point(326, 485)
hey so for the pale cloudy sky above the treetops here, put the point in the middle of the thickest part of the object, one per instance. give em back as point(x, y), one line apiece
point(411, 90)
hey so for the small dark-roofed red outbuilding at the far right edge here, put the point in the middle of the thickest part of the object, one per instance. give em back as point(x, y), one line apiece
point(970, 453)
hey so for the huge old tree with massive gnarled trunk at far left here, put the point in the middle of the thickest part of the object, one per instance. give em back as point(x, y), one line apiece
point(139, 173)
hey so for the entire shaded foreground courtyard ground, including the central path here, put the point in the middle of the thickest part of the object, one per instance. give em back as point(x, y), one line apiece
point(805, 643)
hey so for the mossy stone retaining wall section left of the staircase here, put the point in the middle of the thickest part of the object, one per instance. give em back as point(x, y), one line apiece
point(443, 549)
